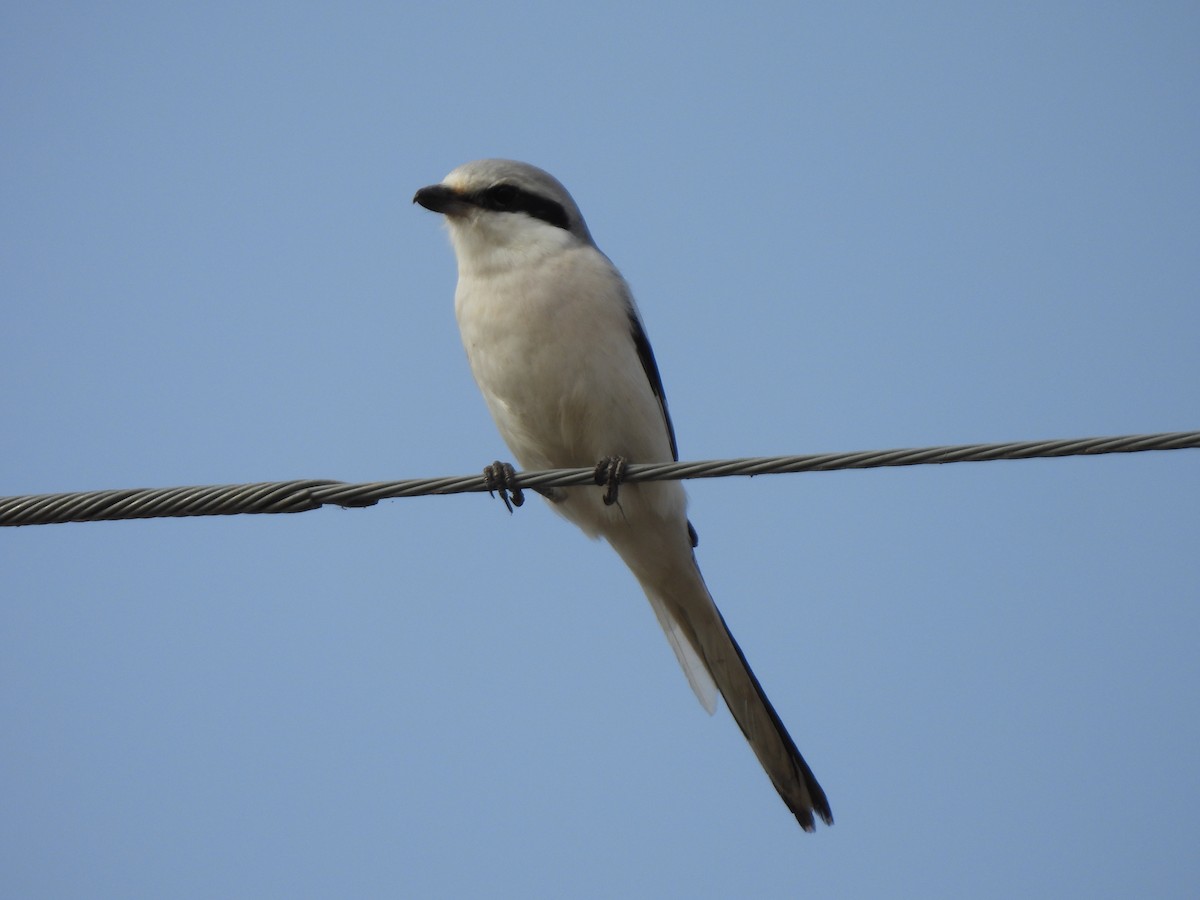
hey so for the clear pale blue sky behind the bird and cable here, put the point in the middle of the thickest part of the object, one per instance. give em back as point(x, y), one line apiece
point(849, 227)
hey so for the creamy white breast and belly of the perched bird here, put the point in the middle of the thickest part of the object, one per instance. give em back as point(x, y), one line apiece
point(550, 344)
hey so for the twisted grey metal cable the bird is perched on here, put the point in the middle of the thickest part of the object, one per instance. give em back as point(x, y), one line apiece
point(305, 495)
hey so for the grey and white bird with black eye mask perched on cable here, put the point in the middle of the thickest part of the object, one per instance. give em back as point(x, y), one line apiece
point(560, 352)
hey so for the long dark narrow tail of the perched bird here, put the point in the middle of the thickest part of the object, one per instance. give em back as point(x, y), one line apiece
point(692, 609)
